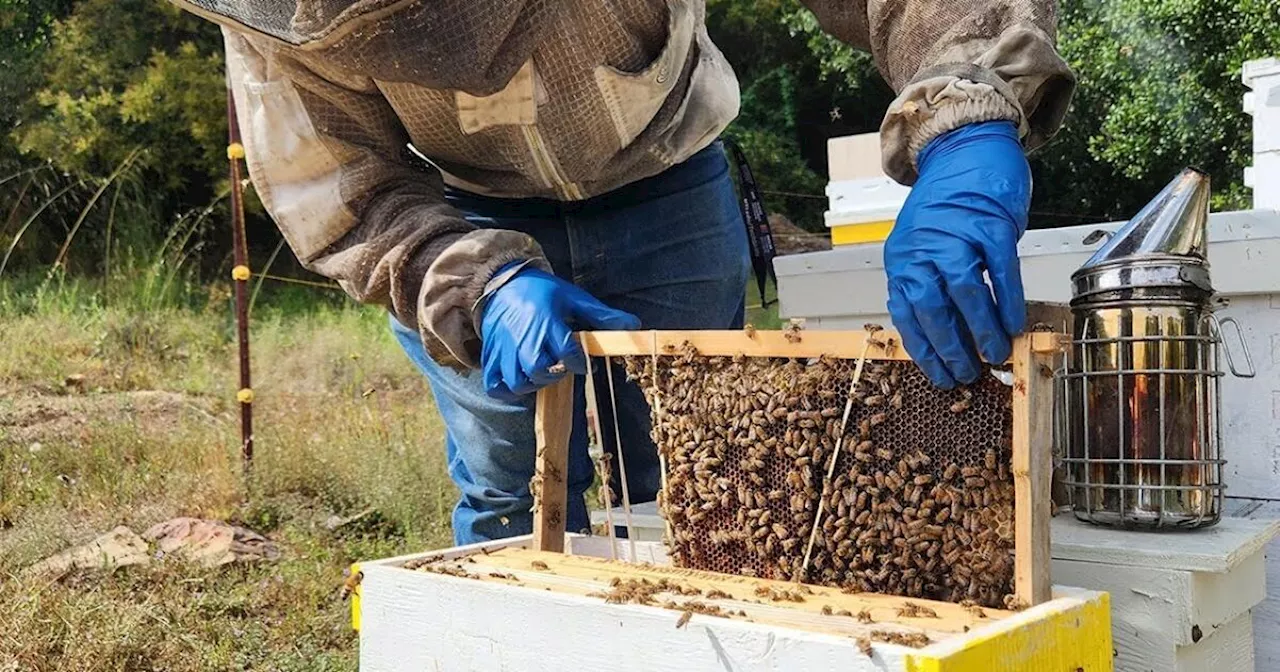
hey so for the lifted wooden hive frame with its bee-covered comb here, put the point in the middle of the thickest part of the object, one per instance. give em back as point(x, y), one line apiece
point(828, 458)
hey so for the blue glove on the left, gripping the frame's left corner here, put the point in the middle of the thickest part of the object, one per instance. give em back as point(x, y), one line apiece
point(525, 331)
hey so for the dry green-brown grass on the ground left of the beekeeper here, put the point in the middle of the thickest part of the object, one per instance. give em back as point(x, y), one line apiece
point(121, 413)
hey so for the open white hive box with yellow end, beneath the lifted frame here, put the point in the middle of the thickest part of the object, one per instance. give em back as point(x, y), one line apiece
point(523, 611)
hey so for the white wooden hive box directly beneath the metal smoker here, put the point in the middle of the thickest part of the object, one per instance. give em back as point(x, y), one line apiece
point(1178, 600)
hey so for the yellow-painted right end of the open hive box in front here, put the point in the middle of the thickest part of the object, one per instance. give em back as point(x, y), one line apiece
point(1072, 633)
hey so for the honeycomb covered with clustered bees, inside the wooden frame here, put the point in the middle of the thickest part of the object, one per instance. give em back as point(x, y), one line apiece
point(920, 501)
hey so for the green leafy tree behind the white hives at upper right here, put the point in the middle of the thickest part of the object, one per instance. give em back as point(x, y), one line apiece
point(1160, 89)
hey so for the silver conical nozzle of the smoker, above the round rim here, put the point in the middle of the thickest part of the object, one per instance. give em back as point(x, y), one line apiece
point(1173, 223)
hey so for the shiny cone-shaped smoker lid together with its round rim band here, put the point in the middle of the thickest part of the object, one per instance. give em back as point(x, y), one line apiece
point(1164, 245)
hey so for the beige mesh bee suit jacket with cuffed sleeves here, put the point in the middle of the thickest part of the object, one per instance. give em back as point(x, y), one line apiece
point(561, 99)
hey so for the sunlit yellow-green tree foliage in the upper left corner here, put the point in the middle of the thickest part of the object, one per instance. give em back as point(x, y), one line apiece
point(132, 74)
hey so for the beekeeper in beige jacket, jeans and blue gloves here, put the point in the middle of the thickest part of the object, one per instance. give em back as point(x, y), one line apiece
point(499, 173)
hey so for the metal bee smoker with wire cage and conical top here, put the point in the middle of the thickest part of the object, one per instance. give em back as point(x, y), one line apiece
point(1141, 397)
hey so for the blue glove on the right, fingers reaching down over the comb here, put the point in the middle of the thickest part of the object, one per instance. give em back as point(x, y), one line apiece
point(964, 217)
